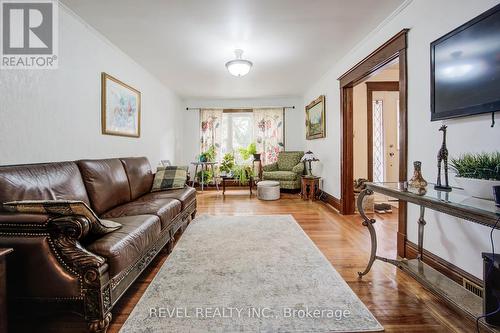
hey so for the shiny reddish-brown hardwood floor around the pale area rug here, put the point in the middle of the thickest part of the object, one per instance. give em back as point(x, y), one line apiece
point(398, 301)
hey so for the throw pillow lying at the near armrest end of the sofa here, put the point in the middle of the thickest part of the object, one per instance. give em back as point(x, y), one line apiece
point(64, 208)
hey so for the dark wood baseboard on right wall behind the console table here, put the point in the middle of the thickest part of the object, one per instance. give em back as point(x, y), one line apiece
point(451, 271)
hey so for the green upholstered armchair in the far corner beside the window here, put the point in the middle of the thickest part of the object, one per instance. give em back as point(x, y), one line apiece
point(287, 170)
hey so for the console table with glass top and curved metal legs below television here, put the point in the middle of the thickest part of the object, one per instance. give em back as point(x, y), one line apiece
point(455, 203)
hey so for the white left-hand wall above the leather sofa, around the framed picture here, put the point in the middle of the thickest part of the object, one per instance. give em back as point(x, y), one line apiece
point(54, 115)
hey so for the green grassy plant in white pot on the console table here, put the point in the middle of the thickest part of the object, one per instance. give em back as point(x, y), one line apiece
point(477, 173)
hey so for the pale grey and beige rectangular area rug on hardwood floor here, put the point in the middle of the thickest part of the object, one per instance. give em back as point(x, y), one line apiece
point(248, 274)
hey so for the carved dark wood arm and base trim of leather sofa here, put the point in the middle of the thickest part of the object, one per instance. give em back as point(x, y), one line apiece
point(98, 293)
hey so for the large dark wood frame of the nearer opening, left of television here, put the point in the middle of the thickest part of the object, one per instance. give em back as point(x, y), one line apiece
point(394, 48)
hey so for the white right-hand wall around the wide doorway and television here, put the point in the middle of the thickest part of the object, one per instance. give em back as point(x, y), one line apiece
point(454, 240)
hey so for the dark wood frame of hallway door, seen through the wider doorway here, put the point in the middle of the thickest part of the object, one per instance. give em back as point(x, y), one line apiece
point(370, 88)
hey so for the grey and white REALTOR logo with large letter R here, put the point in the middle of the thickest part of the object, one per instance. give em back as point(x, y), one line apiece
point(29, 34)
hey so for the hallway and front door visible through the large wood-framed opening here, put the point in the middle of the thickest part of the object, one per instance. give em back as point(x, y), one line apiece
point(376, 130)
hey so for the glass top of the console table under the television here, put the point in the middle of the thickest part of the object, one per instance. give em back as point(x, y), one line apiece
point(456, 197)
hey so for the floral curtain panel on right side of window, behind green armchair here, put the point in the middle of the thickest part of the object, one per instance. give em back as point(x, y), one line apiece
point(269, 133)
